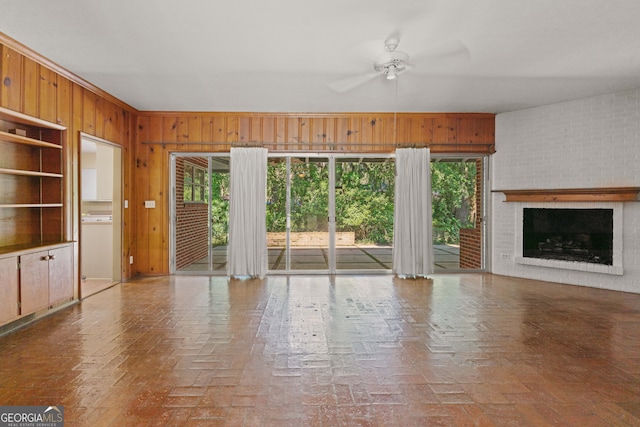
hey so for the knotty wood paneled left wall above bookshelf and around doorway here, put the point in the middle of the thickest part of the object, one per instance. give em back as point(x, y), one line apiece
point(33, 85)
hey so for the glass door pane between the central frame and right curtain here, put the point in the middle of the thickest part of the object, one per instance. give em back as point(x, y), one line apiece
point(364, 199)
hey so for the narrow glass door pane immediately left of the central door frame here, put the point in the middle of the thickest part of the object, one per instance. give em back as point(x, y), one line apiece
point(309, 213)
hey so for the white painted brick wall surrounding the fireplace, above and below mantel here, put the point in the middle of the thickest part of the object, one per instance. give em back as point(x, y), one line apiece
point(592, 142)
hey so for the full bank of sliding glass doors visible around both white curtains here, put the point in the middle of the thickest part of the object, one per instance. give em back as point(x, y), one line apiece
point(325, 213)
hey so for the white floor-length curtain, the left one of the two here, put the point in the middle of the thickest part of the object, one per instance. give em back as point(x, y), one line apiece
point(247, 254)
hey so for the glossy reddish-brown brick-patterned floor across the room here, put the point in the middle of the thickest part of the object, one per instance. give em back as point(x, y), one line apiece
point(461, 350)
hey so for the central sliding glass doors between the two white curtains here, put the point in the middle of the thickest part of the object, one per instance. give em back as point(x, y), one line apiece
point(330, 213)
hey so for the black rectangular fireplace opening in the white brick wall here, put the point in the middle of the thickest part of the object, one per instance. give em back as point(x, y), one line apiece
point(581, 235)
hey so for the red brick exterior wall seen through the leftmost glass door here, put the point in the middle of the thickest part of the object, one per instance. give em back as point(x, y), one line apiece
point(191, 220)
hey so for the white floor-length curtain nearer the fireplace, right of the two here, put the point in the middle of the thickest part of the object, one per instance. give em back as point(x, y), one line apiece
point(412, 231)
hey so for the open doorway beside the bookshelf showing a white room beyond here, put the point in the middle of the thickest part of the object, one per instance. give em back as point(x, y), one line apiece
point(101, 214)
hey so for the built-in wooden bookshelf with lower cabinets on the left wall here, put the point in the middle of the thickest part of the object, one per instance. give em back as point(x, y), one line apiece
point(32, 217)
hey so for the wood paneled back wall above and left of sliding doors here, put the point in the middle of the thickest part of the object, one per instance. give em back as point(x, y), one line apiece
point(160, 133)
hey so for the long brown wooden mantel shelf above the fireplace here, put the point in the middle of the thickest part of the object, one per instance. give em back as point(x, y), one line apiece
point(608, 194)
